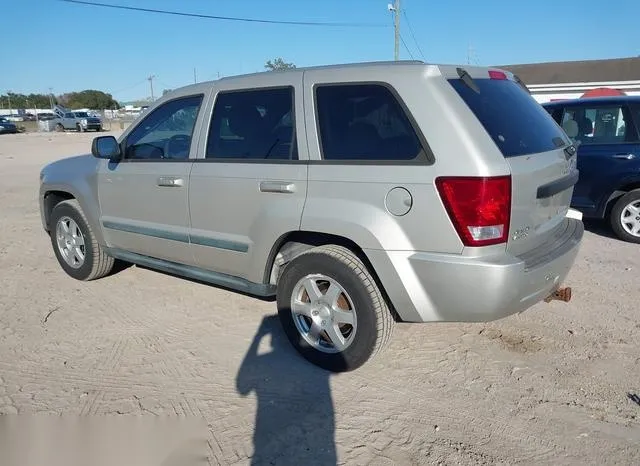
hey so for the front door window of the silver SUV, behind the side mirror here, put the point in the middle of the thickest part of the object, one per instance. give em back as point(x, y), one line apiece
point(166, 132)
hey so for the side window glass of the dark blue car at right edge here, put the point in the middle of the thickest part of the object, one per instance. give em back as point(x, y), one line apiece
point(605, 124)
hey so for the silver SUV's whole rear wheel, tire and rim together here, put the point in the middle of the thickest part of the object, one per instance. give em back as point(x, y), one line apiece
point(332, 310)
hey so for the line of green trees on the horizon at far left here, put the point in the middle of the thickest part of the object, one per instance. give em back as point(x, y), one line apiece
point(89, 98)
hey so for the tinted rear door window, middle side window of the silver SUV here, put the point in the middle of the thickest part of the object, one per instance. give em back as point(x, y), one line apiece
point(253, 124)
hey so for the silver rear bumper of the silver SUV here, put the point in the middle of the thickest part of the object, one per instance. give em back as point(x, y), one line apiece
point(426, 287)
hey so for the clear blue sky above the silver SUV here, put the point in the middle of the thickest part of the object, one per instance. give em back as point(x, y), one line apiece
point(69, 47)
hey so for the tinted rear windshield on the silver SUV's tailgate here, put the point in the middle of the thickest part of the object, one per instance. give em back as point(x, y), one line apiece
point(514, 120)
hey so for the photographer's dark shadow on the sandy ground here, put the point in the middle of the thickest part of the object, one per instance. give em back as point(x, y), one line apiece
point(295, 416)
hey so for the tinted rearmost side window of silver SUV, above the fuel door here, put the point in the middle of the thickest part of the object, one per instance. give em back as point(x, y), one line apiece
point(364, 122)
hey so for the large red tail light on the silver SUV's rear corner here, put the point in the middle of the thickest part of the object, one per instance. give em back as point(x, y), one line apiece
point(479, 207)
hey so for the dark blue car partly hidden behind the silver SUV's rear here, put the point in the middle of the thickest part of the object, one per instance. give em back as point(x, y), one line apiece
point(606, 131)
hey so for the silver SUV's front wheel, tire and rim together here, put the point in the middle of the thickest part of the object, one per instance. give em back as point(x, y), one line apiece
point(75, 245)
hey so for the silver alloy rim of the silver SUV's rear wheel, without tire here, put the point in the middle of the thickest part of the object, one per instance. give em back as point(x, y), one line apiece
point(324, 314)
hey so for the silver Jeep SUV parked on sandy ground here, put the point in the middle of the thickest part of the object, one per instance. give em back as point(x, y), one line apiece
point(356, 195)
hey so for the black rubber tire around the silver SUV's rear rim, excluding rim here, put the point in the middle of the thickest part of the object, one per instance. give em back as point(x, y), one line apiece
point(374, 320)
